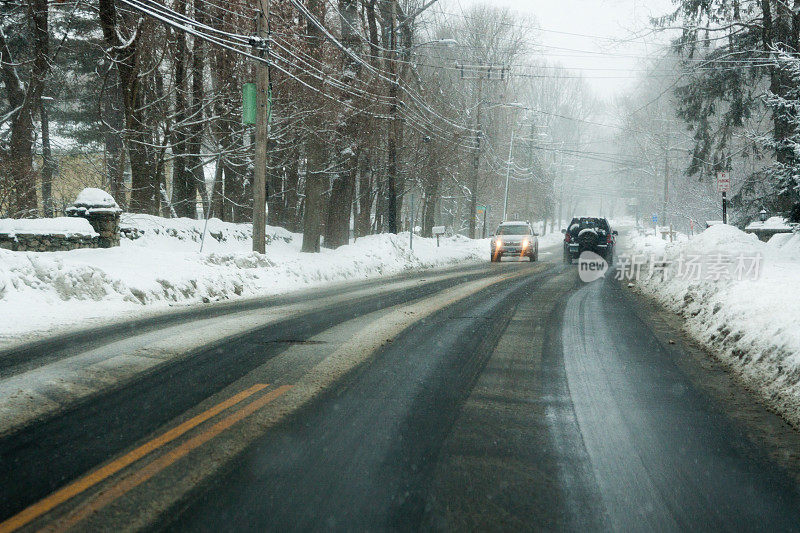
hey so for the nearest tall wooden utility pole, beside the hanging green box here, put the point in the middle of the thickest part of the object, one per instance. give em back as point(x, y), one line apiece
point(262, 133)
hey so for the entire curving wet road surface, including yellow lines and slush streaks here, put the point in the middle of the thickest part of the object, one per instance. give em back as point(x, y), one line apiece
point(498, 396)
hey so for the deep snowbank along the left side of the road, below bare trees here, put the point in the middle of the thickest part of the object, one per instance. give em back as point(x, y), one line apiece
point(160, 264)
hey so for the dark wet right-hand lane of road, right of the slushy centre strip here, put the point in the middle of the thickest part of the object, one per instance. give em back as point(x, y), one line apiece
point(598, 430)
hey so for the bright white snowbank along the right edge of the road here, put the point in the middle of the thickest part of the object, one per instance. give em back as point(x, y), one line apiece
point(746, 311)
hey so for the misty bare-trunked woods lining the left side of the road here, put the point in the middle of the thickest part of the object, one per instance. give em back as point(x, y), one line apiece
point(352, 135)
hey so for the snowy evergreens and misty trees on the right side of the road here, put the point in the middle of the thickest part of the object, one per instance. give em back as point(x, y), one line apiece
point(722, 98)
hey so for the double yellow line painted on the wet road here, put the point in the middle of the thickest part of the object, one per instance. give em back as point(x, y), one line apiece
point(140, 476)
